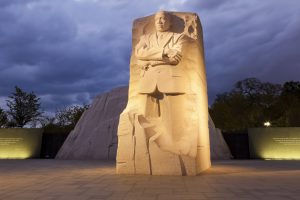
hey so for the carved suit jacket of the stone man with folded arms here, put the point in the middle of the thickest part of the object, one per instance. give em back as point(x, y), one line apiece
point(157, 73)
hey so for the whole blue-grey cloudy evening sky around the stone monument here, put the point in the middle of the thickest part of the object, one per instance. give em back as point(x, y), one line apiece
point(68, 51)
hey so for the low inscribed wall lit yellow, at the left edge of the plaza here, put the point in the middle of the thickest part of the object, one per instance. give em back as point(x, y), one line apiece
point(20, 143)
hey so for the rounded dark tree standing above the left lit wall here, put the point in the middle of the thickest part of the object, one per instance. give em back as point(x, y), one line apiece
point(23, 107)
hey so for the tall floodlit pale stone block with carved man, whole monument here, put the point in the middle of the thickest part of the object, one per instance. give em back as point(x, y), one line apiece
point(164, 127)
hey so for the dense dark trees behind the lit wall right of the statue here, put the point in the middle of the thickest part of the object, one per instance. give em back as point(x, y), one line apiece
point(252, 102)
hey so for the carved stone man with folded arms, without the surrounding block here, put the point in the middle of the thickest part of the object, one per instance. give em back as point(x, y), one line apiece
point(163, 84)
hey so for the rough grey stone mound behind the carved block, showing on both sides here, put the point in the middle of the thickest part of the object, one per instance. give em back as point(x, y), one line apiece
point(95, 135)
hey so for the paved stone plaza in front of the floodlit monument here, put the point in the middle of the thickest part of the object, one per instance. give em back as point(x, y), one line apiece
point(61, 179)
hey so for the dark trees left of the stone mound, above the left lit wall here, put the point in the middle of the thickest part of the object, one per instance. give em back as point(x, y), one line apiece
point(24, 110)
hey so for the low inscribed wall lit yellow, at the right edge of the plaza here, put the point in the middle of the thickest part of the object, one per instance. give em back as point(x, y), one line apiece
point(274, 143)
